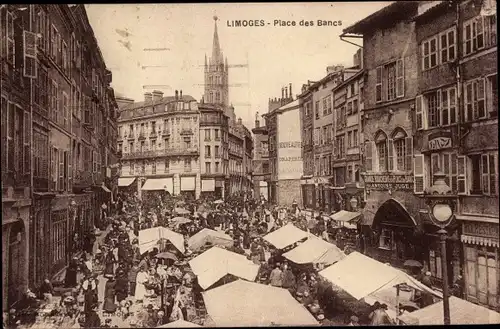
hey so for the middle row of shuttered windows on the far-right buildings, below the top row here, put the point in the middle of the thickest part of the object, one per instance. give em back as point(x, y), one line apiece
point(439, 107)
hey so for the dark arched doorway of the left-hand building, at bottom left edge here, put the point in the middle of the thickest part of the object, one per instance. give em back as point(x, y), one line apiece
point(17, 240)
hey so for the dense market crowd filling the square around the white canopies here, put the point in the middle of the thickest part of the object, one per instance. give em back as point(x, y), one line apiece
point(142, 289)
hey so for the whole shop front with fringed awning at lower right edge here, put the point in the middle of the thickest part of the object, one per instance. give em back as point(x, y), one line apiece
point(480, 239)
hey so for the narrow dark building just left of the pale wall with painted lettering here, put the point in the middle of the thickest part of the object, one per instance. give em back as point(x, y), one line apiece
point(260, 160)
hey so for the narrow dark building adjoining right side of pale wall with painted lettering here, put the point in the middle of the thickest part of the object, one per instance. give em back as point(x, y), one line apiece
point(307, 133)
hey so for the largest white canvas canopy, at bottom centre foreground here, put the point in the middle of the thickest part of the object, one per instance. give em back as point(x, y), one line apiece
point(243, 304)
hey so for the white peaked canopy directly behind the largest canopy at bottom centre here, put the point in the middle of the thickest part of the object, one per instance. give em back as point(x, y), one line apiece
point(215, 263)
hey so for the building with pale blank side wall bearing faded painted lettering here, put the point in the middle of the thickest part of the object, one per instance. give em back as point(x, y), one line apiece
point(285, 151)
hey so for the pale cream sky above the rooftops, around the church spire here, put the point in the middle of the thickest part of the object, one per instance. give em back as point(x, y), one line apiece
point(276, 56)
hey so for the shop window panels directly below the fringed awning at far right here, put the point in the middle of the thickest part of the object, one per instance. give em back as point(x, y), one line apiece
point(482, 274)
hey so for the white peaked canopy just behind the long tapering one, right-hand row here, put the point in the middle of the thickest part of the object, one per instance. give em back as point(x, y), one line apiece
point(315, 250)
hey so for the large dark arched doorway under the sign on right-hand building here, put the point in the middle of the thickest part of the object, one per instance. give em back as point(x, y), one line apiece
point(397, 234)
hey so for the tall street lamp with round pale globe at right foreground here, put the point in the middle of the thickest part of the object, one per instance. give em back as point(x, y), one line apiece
point(441, 203)
